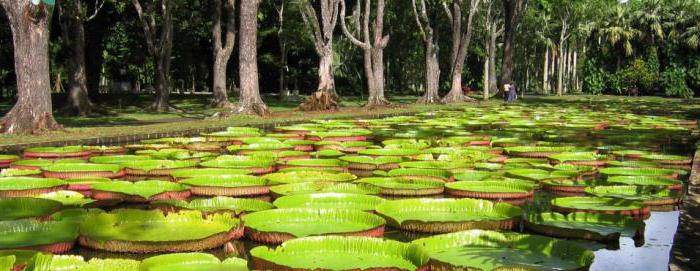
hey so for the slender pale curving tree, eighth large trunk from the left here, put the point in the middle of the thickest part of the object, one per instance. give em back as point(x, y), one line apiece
point(430, 43)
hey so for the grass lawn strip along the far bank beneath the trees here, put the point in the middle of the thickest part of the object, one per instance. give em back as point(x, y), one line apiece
point(127, 116)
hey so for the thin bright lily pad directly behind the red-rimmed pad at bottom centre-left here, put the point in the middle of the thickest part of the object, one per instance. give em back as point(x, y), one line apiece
point(330, 200)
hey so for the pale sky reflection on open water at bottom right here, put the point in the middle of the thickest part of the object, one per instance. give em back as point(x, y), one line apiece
point(654, 255)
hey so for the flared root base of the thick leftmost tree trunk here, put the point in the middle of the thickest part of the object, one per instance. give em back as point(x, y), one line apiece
point(16, 124)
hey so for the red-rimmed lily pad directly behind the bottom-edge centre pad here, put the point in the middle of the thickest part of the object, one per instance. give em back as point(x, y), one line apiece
point(278, 225)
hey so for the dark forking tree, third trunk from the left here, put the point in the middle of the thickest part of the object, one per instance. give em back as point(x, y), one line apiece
point(160, 45)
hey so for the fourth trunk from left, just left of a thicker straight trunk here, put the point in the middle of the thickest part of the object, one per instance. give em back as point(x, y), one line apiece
point(223, 47)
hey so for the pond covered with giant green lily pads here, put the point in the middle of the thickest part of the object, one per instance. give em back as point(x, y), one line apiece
point(542, 187)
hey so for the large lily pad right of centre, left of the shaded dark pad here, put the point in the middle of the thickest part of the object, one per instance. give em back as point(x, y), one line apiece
point(449, 215)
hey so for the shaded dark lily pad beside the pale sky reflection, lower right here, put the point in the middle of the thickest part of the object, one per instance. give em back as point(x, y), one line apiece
point(593, 226)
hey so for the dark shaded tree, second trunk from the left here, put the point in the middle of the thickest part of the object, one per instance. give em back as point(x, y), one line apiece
point(72, 17)
